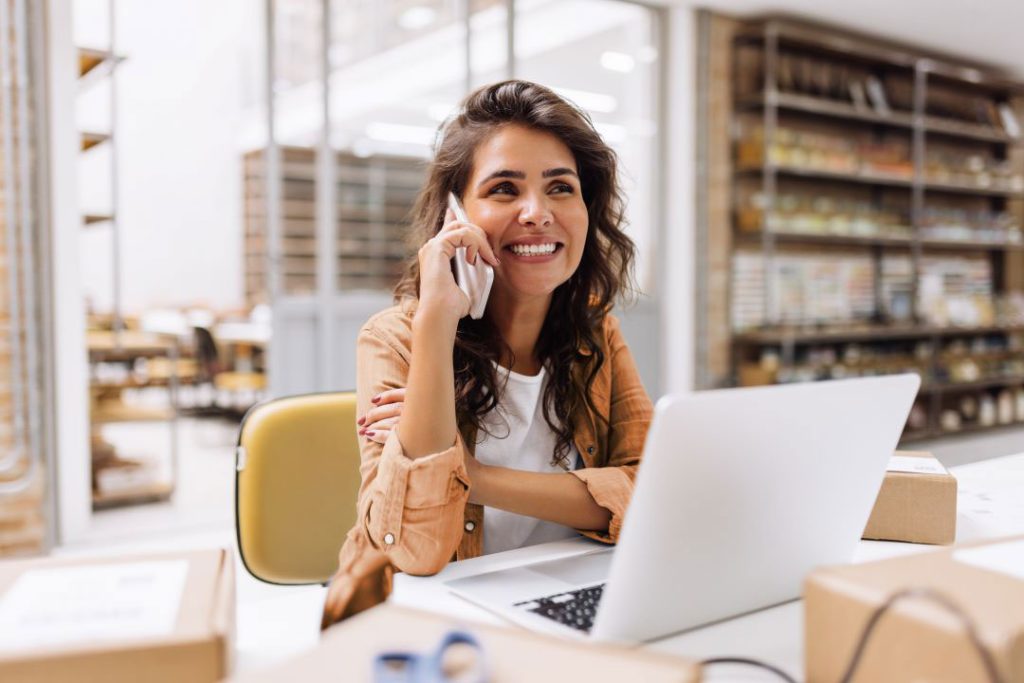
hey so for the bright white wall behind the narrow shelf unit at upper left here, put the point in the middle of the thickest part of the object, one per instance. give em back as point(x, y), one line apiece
point(181, 101)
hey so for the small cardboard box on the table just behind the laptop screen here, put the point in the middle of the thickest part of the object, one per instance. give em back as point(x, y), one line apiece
point(917, 502)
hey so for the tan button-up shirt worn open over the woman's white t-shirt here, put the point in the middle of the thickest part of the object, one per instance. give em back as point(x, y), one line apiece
point(414, 516)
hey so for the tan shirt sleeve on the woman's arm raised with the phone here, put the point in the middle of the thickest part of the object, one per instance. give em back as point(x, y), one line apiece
point(411, 510)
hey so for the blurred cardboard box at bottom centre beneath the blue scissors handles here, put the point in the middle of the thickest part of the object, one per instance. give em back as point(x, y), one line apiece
point(348, 651)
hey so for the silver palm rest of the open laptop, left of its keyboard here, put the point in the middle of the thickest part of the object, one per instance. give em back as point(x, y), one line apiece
point(535, 581)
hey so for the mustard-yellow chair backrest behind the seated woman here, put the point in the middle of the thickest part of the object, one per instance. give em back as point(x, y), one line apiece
point(297, 478)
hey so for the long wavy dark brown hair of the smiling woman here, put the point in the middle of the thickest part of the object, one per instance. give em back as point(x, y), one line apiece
point(570, 346)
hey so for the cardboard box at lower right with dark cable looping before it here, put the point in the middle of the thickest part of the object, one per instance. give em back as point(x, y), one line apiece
point(918, 639)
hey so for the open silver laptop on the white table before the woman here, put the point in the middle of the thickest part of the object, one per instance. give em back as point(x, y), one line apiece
point(740, 495)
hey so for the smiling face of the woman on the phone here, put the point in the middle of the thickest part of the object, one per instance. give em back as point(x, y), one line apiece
point(525, 193)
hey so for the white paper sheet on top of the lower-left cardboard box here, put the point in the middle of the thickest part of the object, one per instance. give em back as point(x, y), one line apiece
point(64, 606)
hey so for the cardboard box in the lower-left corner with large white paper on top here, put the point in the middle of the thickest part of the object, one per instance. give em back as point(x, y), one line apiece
point(153, 618)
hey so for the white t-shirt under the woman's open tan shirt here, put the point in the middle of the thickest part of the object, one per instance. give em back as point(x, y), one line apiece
point(529, 446)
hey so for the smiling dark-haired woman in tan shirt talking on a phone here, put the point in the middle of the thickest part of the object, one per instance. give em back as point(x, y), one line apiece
point(527, 425)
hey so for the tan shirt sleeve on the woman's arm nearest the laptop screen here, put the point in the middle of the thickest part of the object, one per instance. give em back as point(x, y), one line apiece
point(630, 414)
